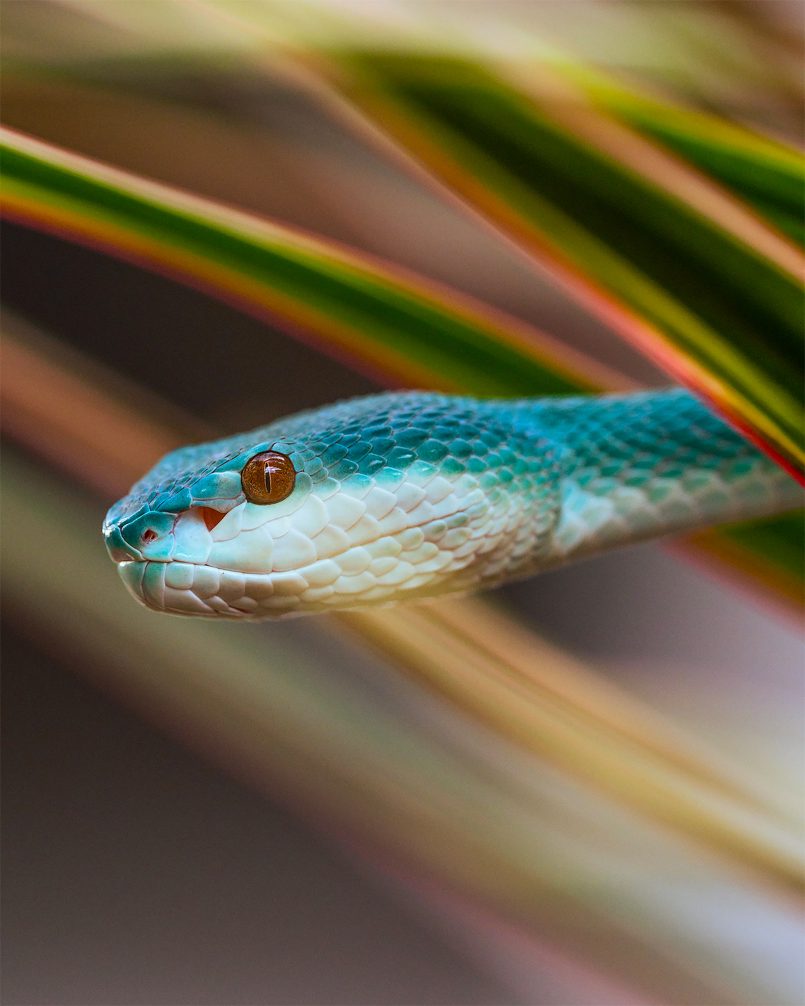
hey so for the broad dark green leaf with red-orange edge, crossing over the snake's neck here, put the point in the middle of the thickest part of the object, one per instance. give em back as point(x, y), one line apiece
point(694, 279)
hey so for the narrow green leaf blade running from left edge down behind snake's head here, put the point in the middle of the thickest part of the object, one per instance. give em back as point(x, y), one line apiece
point(373, 310)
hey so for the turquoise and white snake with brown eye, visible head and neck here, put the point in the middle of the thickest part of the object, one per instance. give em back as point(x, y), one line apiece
point(412, 494)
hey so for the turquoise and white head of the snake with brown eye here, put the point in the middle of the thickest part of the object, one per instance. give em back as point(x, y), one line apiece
point(368, 501)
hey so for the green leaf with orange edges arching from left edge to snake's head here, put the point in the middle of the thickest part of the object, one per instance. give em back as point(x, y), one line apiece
point(346, 304)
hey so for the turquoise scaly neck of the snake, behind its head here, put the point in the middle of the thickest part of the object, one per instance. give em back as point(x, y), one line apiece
point(642, 466)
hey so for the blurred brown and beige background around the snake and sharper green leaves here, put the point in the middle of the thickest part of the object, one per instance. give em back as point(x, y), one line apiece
point(582, 790)
